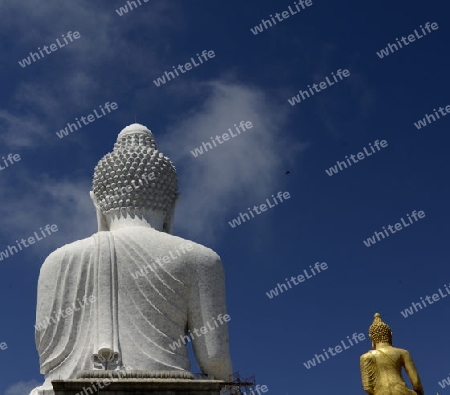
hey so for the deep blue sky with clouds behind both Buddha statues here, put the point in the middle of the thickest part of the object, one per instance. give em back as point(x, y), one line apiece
point(250, 78)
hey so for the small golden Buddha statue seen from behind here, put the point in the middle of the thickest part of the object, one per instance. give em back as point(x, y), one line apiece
point(381, 368)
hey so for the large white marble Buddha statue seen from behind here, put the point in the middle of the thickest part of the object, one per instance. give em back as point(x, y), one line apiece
point(103, 316)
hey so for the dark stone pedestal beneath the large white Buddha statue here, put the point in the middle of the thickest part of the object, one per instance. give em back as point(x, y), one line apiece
point(137, 386)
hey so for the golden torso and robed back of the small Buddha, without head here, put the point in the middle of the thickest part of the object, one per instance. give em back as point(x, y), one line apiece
point(381, 372)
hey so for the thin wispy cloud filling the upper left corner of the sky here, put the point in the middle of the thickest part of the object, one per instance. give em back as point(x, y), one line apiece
point(71, 82)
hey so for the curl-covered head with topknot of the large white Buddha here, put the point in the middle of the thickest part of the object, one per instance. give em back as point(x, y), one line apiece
point(135, 177)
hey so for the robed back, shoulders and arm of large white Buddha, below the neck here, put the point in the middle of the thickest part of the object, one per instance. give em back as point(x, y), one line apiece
point(128, 305)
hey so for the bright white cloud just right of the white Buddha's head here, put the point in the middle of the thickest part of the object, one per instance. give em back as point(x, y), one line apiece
point(239, 173)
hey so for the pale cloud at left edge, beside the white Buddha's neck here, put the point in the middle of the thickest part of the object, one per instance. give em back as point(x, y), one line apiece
point(43, 201)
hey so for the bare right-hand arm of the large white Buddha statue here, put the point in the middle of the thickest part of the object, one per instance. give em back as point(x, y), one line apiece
point(207, 307)
